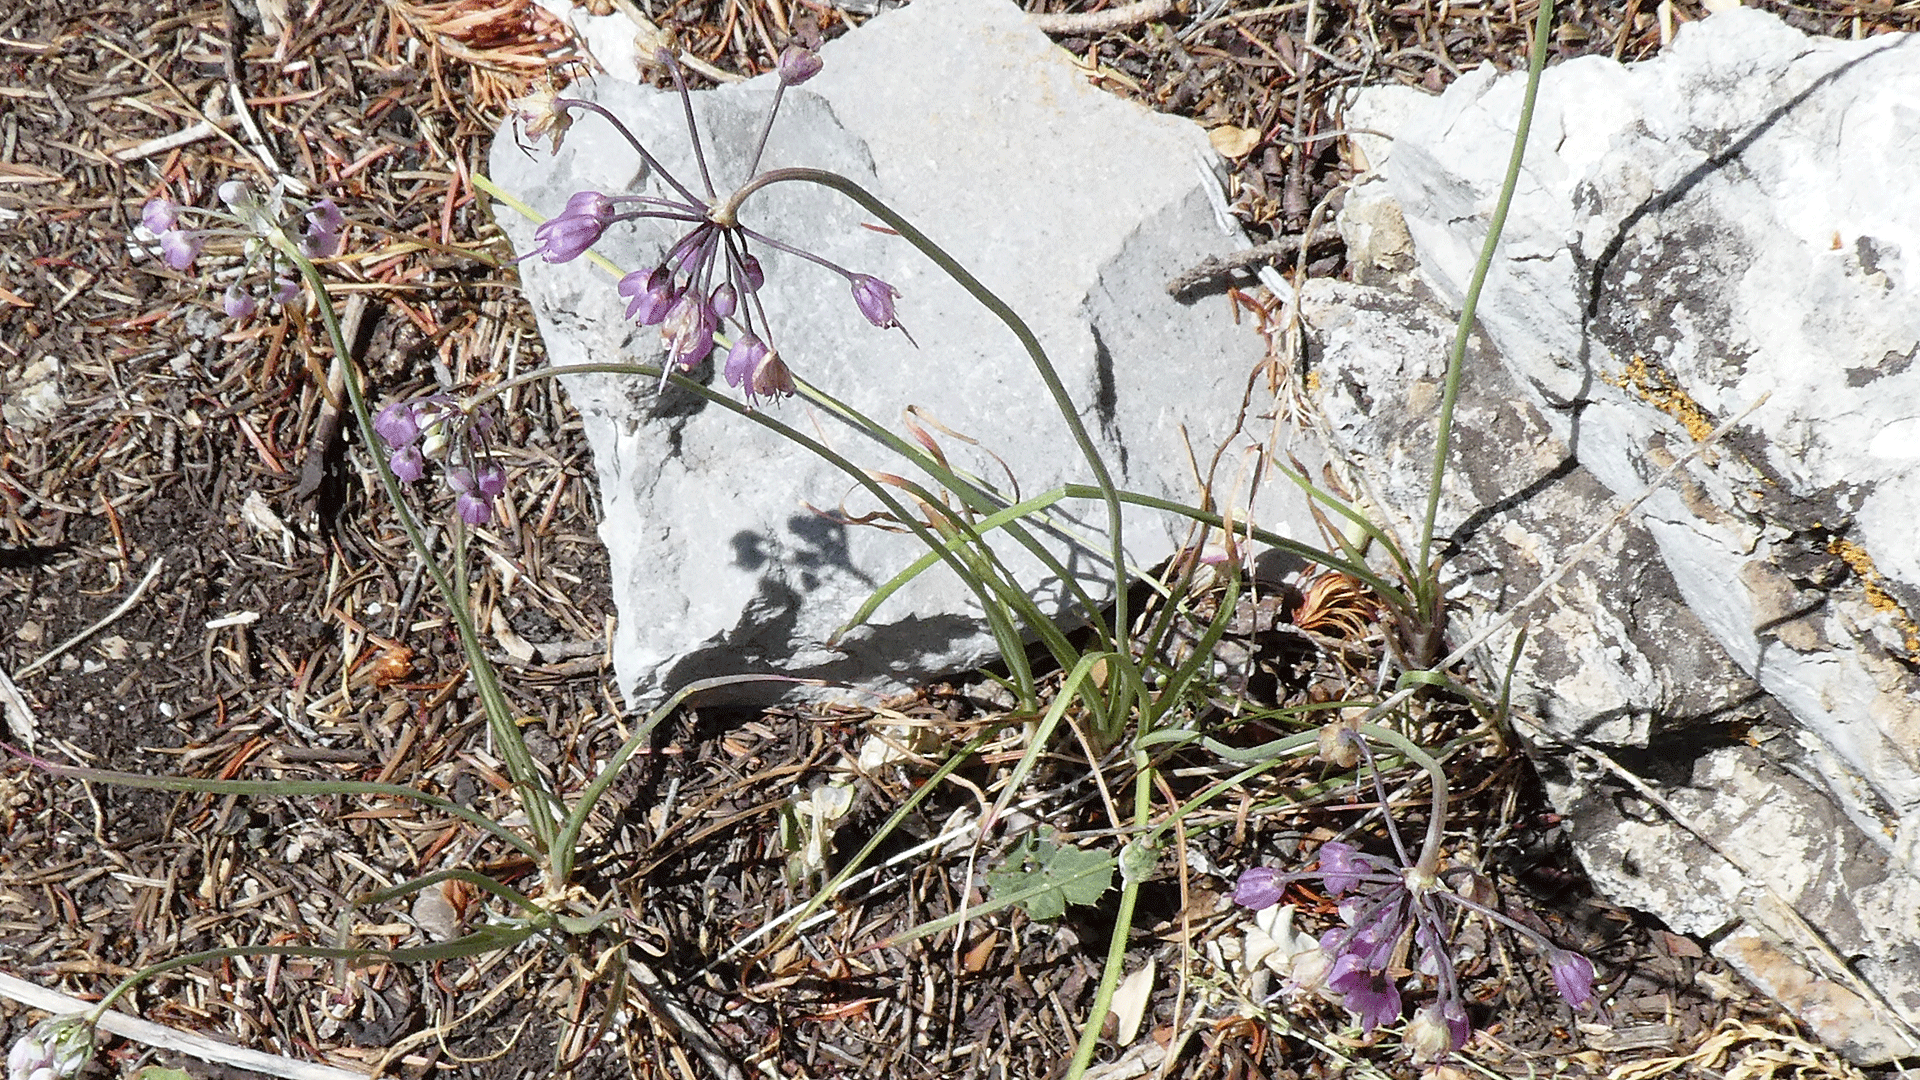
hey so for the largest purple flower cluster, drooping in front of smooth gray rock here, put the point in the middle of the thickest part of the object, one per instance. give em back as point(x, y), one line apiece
point(709, 278)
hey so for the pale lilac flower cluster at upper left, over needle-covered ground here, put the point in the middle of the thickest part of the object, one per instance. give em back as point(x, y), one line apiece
point(249, 218)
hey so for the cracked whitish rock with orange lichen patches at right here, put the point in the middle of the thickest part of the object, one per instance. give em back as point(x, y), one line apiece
point(1725, 233)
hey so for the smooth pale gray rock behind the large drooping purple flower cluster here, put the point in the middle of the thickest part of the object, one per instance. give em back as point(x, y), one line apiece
point(1068, 203)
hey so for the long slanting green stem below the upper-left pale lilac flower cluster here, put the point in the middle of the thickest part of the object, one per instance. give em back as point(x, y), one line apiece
point(537, 797)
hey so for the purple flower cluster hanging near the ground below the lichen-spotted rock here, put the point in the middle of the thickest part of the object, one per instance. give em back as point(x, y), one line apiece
point(1383, 904)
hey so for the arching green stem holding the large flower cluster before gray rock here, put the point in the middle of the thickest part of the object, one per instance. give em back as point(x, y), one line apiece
point(1063, 401)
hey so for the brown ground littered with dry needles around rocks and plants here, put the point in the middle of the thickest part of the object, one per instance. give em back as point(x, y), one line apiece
point(279, 627)
